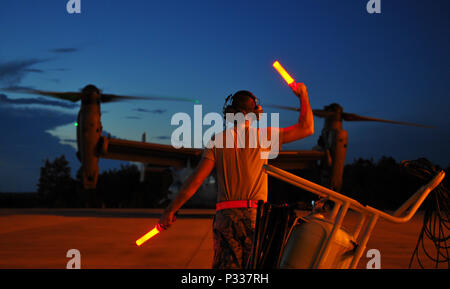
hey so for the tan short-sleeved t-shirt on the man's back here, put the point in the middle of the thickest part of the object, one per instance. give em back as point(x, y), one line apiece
point(239, 168)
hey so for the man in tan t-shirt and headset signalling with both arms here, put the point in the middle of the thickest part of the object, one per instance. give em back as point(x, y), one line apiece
point(241, 180)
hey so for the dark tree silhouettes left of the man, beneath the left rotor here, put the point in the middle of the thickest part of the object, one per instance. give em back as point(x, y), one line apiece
point(116, 188)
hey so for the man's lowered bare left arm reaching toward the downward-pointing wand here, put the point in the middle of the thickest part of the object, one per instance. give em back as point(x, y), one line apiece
point(188, 189)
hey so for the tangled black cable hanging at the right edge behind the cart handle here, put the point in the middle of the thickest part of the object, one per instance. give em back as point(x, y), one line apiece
point(436, 221)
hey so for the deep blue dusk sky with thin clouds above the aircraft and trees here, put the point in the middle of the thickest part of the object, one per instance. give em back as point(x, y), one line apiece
point(394, 65)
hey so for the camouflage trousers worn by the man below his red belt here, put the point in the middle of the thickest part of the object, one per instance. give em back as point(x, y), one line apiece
point(233, 231)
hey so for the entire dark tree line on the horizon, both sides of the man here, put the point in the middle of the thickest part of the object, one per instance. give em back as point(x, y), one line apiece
point(383, 184)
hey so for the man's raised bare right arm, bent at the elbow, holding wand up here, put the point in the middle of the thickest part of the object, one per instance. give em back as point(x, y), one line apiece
point(305, 125)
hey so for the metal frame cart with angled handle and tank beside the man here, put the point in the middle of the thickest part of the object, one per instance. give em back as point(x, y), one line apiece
point(317, 241)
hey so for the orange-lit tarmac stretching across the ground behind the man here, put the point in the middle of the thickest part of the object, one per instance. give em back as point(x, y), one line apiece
point(105, 238)
